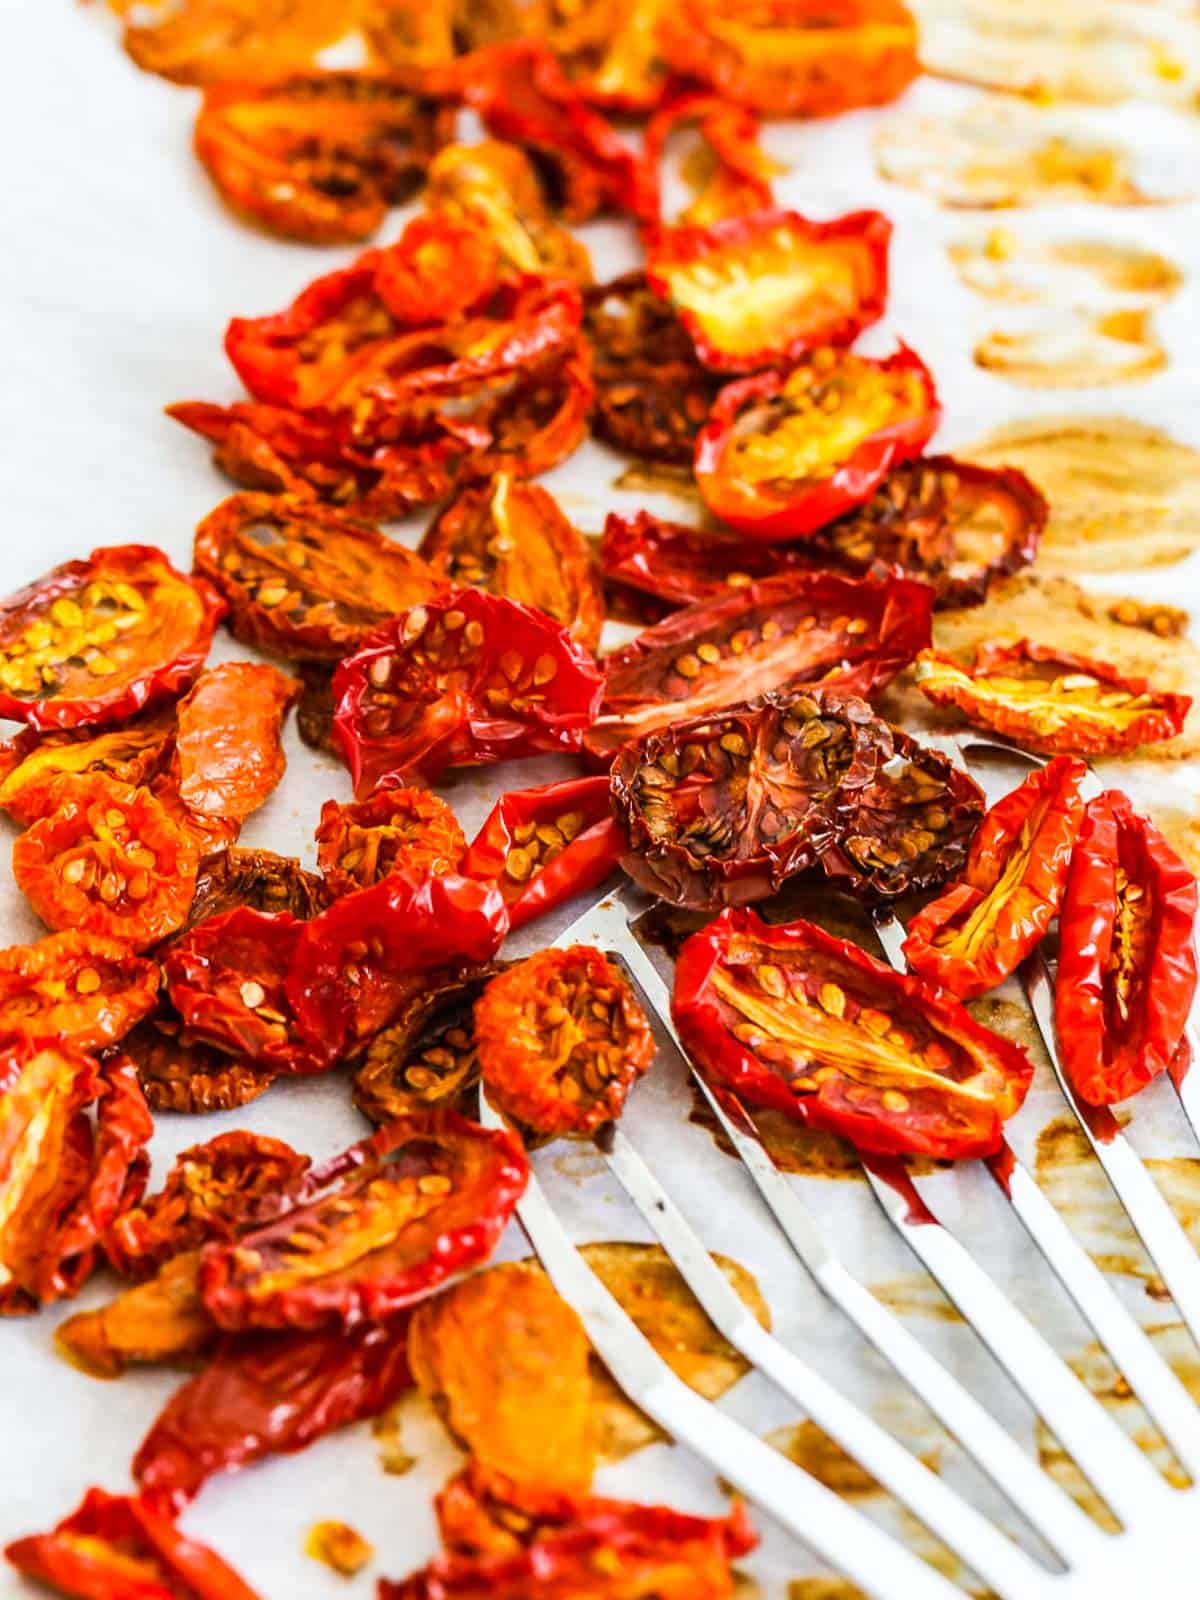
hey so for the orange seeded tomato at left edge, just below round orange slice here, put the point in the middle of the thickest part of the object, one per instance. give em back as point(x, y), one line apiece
point(78, 986)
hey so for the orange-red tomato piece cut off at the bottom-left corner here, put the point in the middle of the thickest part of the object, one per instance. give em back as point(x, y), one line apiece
point(122, 1548)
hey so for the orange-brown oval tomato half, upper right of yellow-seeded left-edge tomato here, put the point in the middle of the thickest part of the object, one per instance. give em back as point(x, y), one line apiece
point(302, 580)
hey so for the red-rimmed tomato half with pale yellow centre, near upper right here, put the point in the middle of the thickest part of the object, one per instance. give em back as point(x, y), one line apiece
point(764, 290)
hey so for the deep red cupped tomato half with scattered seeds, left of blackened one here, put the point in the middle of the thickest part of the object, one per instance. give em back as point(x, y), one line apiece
point(462, 681)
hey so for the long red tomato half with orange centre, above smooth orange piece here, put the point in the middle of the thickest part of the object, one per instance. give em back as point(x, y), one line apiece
point(383, 1226)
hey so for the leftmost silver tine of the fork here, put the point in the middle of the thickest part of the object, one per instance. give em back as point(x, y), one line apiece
point(841, 1535)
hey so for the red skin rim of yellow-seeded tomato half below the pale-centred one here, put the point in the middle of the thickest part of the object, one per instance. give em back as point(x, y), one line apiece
point(798, 508)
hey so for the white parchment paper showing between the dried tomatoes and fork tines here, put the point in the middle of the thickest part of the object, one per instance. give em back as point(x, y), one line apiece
point(119, 276)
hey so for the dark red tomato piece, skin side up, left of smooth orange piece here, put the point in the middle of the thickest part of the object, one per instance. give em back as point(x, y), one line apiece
point(270, 1396)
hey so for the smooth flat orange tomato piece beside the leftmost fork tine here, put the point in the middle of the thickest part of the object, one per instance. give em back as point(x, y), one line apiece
point(508, 1359)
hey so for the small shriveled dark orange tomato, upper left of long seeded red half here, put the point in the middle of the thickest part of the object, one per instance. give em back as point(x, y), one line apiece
point(209, 1193)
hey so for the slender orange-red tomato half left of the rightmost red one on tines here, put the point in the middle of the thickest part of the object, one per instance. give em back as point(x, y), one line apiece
point(986, 924)
